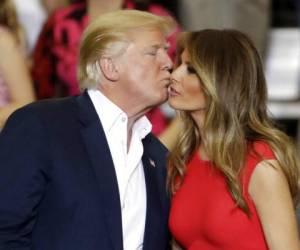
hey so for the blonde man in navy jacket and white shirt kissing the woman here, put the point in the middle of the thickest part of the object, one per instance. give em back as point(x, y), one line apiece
point(85, 173)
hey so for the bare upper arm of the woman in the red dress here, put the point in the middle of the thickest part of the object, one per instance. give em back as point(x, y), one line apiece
point(271, 195)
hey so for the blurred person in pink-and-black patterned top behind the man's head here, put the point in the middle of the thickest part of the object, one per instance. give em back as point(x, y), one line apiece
point(56, 52)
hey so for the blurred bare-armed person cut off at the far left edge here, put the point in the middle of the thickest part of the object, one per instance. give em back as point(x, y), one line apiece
point(16, 87)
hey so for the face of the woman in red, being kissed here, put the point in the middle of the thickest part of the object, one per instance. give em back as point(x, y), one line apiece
point(185, 91)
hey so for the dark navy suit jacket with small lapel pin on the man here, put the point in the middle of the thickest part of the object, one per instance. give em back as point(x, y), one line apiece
point(58, 186)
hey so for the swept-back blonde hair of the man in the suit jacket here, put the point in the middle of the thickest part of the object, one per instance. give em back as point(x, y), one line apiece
point(109, 36)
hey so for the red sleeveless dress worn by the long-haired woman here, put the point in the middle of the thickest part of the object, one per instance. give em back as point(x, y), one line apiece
point(203, 214)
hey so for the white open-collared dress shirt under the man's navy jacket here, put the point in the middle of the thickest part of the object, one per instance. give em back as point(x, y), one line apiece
point(128, 166)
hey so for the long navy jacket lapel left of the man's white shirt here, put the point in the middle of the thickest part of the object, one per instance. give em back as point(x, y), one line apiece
point(97, 147)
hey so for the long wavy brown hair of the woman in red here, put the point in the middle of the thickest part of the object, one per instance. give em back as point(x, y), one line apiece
point(232, 78)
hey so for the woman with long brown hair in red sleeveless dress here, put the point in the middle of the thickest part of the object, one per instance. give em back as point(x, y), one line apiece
point(234, 176)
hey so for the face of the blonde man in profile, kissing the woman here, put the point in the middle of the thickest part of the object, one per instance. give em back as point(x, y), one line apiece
point(144, 69)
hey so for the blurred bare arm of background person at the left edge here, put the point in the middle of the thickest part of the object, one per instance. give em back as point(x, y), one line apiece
point(15, 73)
